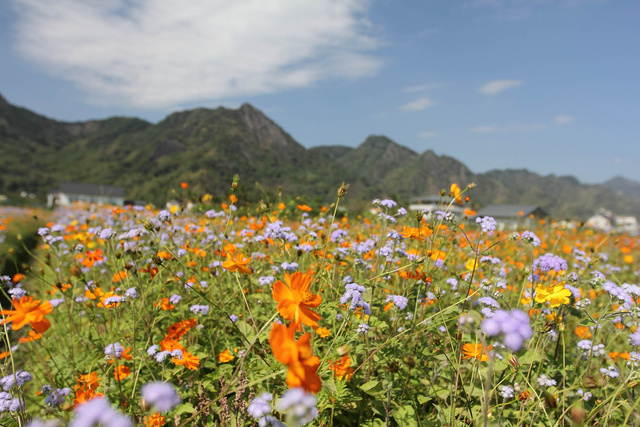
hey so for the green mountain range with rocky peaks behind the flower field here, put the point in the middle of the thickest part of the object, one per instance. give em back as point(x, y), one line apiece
point(206, 147)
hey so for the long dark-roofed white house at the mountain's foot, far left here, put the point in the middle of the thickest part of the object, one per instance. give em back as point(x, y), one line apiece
point(70, 192)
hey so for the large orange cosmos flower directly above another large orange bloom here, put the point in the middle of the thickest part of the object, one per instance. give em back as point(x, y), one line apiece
point(294, 299)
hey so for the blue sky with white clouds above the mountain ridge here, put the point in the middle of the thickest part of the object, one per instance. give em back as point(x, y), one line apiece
point(552, 86)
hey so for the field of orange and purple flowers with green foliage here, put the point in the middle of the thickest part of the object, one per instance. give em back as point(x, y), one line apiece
point(281, 314)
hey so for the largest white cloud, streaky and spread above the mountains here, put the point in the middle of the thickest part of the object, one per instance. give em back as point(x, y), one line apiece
point(159, 53)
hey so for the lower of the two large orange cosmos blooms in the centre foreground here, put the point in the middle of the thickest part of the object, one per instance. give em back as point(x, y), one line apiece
point(297, 355)
